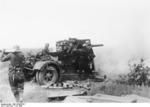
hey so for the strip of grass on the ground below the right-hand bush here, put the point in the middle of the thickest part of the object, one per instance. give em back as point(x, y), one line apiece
point(117, 89)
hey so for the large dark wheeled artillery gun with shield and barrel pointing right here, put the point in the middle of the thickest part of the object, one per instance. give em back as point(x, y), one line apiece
point(70, 62)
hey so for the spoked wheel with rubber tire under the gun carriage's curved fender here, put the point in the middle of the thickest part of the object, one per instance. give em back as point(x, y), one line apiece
point(49, 74)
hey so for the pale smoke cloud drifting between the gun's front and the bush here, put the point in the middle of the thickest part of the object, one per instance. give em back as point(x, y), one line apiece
point(114, 60)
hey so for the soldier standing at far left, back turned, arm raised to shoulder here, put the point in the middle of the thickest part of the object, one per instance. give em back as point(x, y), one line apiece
point(16, 75)
